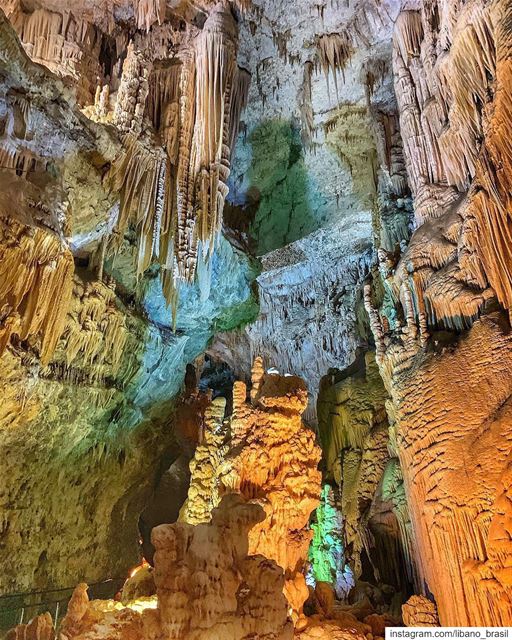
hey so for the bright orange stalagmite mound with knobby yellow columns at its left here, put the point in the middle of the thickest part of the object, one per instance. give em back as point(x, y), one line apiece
point(265, 453)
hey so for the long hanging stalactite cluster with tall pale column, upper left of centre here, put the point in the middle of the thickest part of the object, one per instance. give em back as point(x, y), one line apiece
point(175, 193)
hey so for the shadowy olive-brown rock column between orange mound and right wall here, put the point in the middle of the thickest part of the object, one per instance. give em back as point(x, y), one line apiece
point(360, 455)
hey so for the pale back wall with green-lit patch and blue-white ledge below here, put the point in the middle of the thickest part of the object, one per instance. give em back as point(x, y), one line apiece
point(297, 174)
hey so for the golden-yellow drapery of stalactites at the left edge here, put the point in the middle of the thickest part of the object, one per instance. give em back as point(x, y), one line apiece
point(36, 282)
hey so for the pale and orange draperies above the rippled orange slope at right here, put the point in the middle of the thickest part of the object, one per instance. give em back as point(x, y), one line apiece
point(452, 73)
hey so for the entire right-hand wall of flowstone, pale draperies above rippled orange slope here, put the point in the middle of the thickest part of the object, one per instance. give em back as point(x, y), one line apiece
point(445, 350)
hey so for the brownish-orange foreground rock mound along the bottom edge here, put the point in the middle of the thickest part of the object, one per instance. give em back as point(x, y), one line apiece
point(208, 586)
